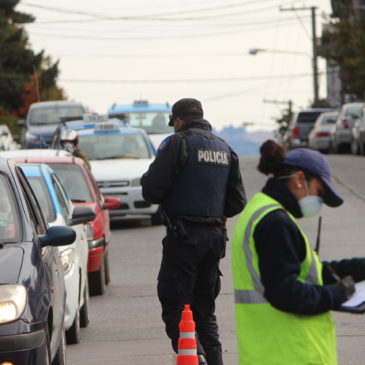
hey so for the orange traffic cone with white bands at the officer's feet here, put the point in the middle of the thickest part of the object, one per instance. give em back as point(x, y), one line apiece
point(187, 351)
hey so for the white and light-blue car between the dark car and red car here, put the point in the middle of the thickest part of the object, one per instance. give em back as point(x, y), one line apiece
point(58, 209)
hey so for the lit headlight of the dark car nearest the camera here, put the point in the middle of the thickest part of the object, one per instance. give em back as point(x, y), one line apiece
point(12, 302)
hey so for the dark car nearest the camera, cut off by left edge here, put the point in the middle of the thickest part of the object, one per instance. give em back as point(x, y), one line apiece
point(32, 292)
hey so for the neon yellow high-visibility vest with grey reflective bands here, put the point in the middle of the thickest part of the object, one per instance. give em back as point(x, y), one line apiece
point(266, 335)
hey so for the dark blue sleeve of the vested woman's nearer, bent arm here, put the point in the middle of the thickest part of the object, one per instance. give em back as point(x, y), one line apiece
point(281, 249)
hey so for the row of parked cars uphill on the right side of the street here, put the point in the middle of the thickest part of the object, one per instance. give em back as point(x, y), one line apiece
point(328, 130)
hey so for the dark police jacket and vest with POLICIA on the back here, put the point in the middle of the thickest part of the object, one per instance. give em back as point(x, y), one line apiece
point(195, 175)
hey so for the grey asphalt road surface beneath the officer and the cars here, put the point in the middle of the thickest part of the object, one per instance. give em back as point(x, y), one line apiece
point(125, 325)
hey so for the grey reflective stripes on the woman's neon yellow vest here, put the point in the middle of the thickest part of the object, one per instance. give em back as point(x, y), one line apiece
point(257, 294)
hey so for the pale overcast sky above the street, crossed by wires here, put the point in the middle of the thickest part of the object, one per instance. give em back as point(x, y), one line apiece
point(162, 50)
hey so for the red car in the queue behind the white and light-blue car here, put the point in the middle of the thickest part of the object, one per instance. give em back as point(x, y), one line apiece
point(80, 184)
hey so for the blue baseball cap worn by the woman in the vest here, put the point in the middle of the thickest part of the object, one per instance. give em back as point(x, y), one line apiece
point(314, 162)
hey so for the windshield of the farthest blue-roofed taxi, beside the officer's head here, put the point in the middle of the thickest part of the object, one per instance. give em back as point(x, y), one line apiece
point(151, 122)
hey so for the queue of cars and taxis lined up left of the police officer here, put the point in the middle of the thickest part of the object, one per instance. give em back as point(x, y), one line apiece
point(55, 219)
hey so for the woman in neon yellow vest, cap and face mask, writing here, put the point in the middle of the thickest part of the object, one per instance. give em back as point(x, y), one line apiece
point(283, 293)
